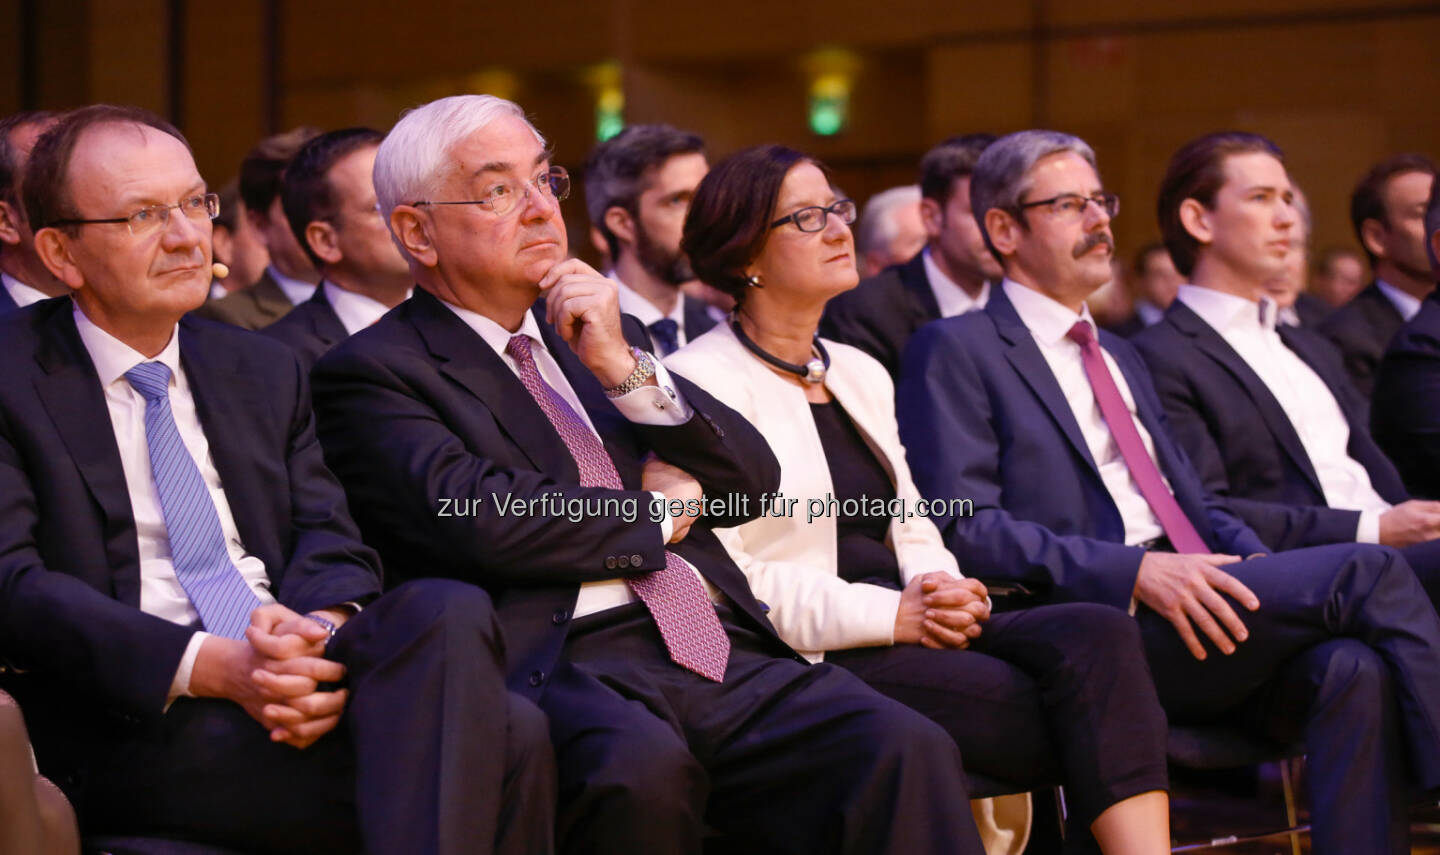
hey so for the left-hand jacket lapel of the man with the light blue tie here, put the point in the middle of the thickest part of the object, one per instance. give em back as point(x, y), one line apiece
point(76, 402)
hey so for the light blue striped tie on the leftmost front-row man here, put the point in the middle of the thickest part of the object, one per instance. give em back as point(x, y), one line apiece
point(204, 566)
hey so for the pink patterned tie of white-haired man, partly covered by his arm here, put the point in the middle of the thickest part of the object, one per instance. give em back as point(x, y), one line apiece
point(676, 600)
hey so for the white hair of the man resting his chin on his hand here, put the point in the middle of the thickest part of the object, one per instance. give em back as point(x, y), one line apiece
point(417, 152)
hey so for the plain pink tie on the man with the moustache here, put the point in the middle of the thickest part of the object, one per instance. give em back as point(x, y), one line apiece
point(1177, 526)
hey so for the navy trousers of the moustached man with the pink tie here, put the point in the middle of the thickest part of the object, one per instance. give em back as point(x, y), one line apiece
point(1288, 679)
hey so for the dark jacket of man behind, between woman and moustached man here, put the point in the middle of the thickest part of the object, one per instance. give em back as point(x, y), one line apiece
point(883, 312)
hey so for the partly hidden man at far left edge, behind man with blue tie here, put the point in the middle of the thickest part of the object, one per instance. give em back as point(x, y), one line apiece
point(24, 279)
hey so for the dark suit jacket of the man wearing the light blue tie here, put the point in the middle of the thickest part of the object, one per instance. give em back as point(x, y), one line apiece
point(70, 568)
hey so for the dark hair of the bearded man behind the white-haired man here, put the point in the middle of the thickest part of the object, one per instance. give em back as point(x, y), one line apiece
point(617, 171)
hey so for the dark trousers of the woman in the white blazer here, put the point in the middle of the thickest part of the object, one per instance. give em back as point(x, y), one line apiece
point(1048, 696)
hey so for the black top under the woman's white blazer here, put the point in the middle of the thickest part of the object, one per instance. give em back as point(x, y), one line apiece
point(858, 476)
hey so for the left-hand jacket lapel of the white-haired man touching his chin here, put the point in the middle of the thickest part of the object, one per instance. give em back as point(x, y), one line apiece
point(470, 362)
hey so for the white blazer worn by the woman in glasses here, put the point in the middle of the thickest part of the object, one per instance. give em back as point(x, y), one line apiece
point(791, 564)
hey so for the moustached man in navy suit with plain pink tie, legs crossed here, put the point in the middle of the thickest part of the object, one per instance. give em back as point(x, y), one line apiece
point(1078, 492)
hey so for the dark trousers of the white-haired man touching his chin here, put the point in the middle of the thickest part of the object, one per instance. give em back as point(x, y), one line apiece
point(783, 758)
